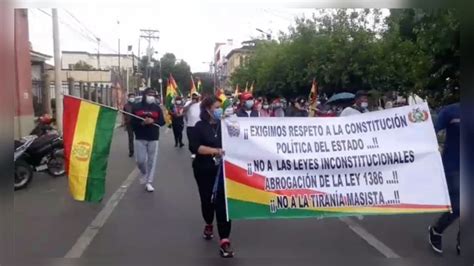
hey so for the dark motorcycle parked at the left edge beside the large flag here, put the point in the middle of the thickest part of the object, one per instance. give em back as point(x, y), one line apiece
point(41, 151)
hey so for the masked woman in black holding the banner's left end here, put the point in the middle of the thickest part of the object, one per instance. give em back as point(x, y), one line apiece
point(207, 146)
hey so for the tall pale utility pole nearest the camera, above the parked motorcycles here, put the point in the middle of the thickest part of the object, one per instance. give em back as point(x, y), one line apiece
point(57, 72)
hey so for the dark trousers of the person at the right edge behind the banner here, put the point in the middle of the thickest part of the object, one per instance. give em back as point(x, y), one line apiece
point(447, 218)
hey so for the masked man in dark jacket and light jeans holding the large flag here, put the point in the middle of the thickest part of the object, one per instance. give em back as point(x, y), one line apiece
point(147, 135)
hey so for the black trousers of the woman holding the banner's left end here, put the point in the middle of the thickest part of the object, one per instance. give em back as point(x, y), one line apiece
point(205, 177)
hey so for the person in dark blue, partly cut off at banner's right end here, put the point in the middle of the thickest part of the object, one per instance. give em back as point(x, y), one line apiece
point(449, 119)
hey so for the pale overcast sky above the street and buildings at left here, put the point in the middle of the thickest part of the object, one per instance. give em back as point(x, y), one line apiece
point(189, 30)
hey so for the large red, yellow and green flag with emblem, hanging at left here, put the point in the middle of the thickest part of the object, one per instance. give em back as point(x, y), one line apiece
point(88, 130)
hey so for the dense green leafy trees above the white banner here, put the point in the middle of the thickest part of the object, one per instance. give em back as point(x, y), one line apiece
point(412, 50)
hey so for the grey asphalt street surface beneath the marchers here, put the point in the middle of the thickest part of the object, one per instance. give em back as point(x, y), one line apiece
point(165, 226)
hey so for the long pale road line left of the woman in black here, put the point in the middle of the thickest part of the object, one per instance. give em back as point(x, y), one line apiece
point(91, 231)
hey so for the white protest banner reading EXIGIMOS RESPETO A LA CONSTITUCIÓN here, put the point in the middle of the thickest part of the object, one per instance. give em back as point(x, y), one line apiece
point(384, 162)
